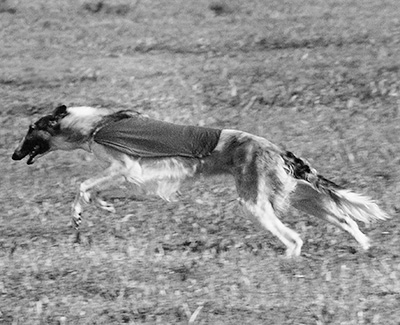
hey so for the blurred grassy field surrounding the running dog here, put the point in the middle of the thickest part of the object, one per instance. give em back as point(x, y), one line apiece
point(321, 78)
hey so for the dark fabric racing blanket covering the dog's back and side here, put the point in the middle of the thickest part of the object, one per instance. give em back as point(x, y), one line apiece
point(145, 137)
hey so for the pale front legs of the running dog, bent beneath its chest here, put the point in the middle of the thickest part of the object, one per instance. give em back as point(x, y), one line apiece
point(86, 196)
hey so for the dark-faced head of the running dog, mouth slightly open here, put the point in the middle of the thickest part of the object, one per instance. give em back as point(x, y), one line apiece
point(37, 141)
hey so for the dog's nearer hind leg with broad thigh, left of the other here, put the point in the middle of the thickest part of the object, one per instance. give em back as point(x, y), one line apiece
point(264, 187)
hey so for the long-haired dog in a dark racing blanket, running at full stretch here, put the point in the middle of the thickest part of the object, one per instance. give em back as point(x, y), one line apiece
point(157, 156)
